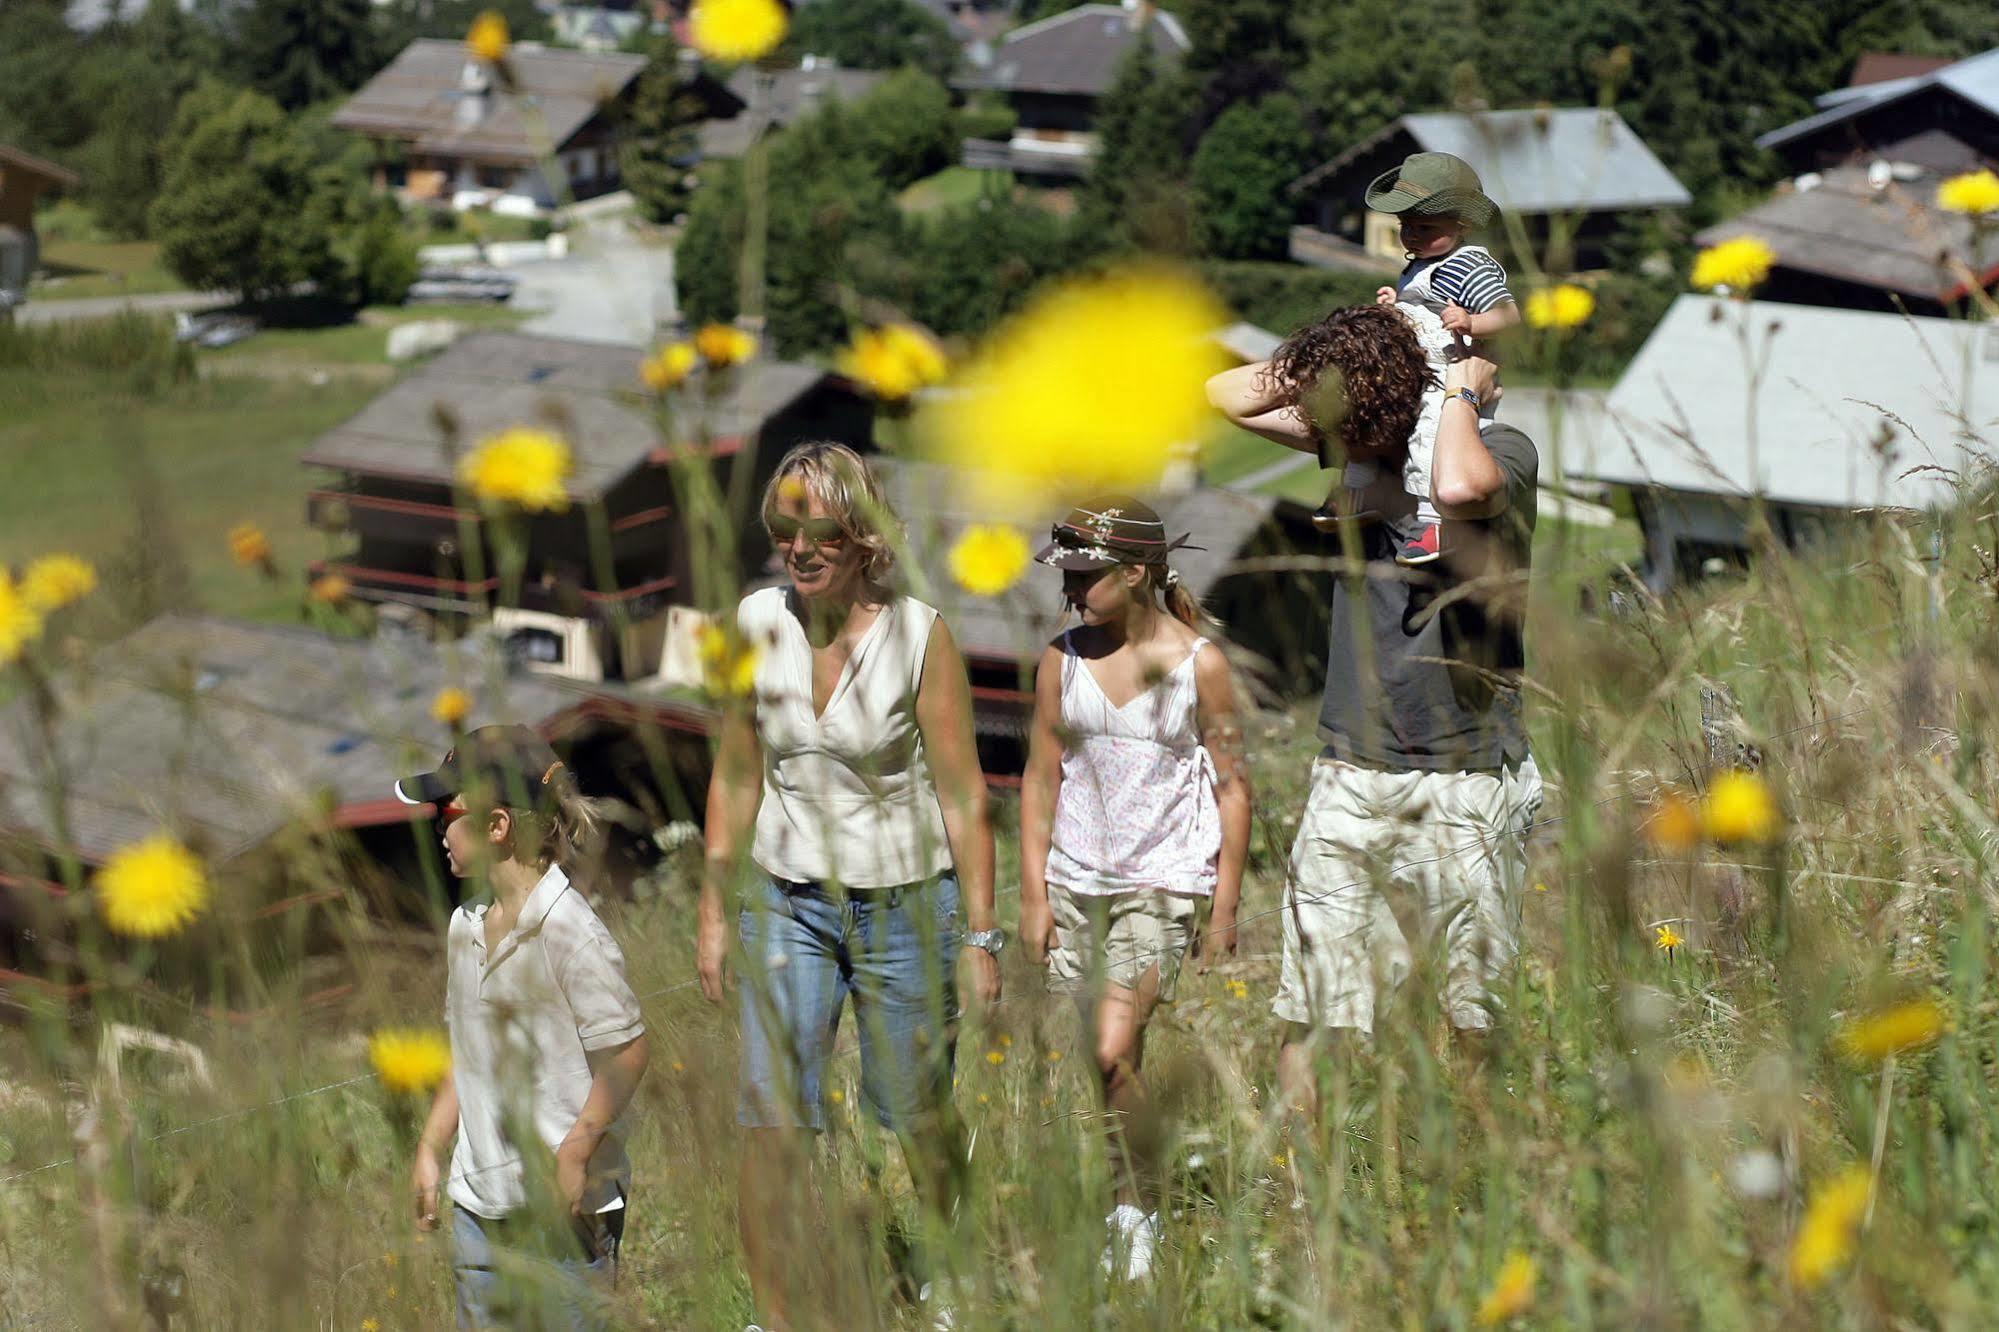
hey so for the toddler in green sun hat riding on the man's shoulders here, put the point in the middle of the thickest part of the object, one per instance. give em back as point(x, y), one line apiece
point(1454, 293)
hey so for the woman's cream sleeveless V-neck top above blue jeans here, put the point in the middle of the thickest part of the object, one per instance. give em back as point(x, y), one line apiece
point(847, 795)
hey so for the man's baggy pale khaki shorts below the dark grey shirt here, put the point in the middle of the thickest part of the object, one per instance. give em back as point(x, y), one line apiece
point(1396, 861)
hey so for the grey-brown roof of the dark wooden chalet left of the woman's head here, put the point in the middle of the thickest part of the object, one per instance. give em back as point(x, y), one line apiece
point(589, 391)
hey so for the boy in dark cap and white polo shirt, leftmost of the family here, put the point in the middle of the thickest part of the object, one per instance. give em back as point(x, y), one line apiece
point(547, 1043)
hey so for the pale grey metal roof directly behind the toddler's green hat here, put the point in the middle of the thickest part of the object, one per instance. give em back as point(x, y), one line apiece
point(1536, 161)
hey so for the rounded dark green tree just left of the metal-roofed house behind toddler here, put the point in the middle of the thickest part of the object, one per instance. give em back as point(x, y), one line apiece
point(1240, 175)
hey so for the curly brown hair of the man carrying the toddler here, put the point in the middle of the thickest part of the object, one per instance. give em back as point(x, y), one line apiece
point(1358, 373)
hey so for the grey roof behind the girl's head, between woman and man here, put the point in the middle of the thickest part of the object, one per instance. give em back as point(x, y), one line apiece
point(1018, 625)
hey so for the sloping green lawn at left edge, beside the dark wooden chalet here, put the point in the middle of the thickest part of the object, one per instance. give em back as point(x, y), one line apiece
point(155, 483)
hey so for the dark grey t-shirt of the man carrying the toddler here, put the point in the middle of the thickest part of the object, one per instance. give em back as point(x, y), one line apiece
point(1424, 663)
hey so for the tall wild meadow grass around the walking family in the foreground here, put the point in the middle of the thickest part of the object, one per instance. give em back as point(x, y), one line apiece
point(1648, 1125)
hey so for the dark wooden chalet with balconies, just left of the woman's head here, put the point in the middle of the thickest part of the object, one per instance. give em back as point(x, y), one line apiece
point(603, 577)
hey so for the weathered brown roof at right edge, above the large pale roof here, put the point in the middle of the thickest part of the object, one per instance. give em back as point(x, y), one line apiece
point(1844, 229)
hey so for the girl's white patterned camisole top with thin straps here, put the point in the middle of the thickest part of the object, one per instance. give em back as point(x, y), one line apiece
point(1136, 809)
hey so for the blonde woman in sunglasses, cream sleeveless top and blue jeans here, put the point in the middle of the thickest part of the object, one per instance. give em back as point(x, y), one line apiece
point(847, 827)
